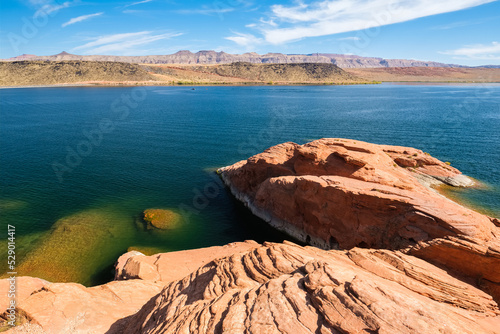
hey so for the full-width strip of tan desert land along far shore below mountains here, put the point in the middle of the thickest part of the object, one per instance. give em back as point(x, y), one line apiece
point(33, 73)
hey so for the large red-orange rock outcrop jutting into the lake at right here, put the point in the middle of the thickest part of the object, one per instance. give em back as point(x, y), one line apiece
point(337, 193)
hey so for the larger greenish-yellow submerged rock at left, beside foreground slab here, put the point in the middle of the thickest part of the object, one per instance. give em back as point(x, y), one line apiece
point(78, 247)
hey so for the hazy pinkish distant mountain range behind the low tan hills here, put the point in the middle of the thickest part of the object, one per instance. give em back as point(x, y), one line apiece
point(213, 57)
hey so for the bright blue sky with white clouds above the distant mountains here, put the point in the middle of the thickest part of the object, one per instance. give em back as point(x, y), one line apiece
point(451, 31)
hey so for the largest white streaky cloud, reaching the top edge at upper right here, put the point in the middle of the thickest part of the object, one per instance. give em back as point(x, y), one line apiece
point(329, 17)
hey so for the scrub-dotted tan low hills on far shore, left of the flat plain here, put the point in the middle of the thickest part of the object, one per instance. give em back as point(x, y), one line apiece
point(28, 73)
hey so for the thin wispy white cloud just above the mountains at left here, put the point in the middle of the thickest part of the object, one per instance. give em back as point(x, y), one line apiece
point(122, 44)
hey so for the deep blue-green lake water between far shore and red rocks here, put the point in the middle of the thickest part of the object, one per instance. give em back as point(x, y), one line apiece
point(160, 146)
